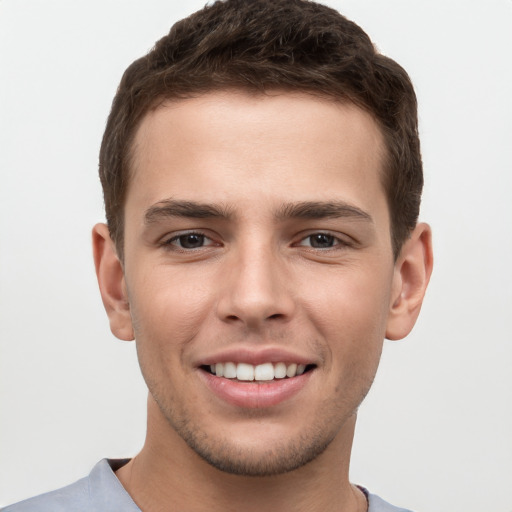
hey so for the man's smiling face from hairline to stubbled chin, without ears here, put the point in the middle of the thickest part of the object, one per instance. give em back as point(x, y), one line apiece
point(259, 273)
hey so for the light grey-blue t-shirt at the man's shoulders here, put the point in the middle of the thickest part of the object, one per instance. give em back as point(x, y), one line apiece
point(101, 491)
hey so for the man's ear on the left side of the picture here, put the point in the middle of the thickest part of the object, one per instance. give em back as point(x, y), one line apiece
point(110, 274)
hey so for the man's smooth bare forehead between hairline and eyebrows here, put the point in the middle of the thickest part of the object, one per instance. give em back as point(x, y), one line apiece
point(227, 145)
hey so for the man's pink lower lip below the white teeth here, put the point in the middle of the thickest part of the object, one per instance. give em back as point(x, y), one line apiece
point(254, 395)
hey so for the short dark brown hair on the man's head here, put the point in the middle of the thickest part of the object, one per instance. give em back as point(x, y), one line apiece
point(261, 45)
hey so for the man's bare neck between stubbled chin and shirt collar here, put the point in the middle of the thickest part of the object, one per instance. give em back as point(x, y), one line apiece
point(167, 471)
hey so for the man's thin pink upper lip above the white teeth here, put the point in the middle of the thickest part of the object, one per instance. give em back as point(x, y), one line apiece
point(255, 356)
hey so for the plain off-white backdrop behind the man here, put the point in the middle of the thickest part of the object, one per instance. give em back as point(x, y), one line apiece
point(435, 433)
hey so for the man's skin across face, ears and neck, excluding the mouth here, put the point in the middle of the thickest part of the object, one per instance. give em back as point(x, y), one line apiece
point(259, 273)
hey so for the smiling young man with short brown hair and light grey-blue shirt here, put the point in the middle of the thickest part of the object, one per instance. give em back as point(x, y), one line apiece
point(262, 180)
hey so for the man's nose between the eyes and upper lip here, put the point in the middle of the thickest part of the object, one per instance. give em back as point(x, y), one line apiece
point(256, 288)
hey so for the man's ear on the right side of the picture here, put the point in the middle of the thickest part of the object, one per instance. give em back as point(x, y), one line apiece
point(412, 274)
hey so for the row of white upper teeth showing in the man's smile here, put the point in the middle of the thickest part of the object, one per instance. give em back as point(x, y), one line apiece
point(261, 372)
